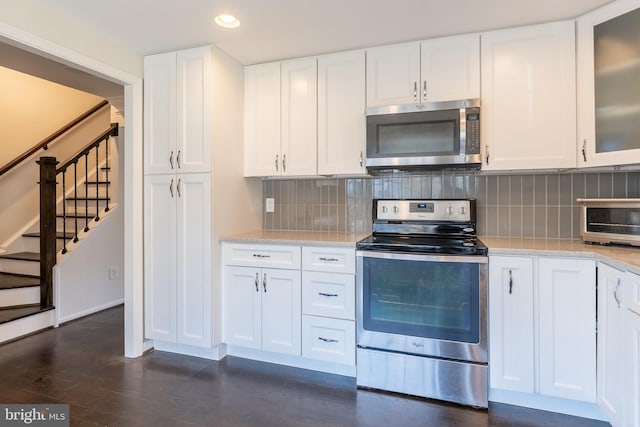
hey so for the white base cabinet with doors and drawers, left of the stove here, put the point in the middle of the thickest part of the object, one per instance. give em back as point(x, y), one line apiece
point(271, 305)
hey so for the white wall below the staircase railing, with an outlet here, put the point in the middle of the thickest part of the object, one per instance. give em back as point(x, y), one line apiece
point(82, 284)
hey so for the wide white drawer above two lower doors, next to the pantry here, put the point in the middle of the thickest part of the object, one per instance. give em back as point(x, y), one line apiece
point(275, 256)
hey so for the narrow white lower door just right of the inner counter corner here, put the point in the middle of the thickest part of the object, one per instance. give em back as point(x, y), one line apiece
point(611, 373)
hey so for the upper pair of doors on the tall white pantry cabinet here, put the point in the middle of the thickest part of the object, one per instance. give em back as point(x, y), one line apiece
point(177, 119)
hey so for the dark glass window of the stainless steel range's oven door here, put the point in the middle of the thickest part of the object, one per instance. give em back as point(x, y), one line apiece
point(438, 300)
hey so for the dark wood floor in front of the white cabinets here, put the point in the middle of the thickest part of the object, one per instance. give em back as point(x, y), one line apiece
point(81, 364)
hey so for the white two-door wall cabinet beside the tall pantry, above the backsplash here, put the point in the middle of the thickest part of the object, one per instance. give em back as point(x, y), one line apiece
point(280, 134)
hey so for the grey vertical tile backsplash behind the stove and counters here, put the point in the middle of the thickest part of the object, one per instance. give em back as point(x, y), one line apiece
point(530, 205)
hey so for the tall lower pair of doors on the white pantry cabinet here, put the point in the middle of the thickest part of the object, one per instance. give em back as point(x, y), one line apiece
point(178, 259)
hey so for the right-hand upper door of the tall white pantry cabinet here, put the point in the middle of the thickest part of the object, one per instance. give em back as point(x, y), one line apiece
point(194, 92)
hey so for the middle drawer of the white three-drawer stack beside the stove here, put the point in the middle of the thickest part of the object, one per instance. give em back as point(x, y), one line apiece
point(328, 294)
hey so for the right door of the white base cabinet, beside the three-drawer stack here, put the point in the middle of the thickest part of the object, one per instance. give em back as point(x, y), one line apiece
point(281, 311)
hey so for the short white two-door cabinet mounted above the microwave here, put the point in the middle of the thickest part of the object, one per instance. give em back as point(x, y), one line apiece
point(435, 70)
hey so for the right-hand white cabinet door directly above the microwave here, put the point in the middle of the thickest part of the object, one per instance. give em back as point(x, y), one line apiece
point(450, 68)
